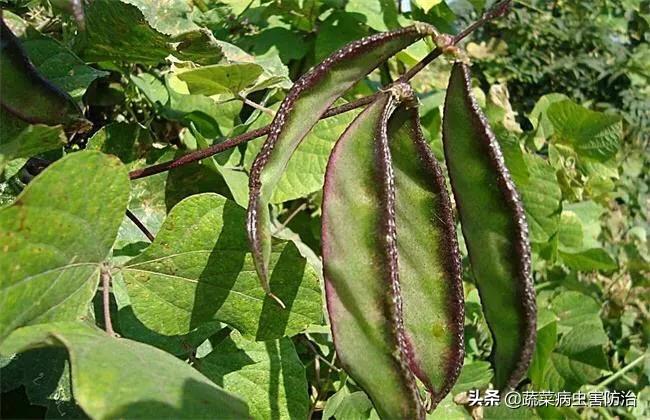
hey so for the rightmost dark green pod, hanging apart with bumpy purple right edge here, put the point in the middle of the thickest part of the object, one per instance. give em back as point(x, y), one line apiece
point(494, 227)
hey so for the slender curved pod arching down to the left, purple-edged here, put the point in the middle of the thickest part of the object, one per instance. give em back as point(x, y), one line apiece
point(305, 103)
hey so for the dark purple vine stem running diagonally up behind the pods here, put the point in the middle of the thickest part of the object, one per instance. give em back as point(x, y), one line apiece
point(500, 9)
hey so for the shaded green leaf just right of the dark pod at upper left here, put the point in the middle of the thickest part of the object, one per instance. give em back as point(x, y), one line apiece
point(60, 65)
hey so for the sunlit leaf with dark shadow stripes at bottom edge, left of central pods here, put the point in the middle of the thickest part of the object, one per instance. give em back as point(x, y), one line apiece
point(269, 376)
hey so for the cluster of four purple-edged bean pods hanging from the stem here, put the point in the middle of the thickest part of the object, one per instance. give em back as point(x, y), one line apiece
point(391, 260)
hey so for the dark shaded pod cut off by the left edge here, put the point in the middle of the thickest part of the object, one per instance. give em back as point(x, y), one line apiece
point(26, 94)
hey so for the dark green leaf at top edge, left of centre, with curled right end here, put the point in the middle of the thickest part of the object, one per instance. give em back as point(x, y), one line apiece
point(119, 31)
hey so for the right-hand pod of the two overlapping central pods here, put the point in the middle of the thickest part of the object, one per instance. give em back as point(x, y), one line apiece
point(430, 272)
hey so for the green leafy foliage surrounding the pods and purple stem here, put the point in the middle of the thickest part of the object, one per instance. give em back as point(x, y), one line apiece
point(565, 84)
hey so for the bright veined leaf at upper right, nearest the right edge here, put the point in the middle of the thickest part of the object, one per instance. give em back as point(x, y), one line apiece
point(591, 134)
